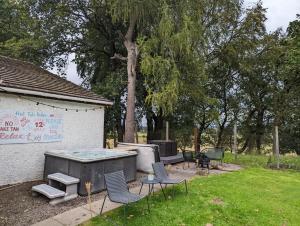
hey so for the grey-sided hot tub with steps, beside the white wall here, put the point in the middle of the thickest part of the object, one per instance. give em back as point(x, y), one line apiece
point(90, 165)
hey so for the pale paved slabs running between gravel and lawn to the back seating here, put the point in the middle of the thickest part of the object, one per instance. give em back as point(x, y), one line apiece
point(81, 214)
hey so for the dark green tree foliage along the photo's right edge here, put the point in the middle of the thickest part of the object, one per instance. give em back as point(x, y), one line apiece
point(289, 72)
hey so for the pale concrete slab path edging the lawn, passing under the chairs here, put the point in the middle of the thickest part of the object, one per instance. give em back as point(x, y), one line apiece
point(82, 214)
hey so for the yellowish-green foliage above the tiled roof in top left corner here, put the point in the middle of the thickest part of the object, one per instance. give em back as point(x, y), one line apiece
point(19, 36)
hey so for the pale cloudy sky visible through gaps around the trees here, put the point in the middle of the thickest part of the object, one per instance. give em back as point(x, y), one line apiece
point(279, 14)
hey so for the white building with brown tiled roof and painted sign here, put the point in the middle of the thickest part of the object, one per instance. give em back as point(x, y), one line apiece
point(40, 111)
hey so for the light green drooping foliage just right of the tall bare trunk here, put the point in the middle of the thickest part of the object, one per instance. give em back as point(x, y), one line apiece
point(169, 57)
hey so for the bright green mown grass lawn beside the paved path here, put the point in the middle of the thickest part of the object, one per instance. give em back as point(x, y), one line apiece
point(253, 196)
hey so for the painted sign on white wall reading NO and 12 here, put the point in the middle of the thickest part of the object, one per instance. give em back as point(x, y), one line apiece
point(30, 127)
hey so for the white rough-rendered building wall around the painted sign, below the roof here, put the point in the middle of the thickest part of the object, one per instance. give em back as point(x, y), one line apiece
point(25, 162)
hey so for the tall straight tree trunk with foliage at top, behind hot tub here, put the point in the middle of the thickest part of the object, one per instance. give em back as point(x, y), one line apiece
point(133, 13)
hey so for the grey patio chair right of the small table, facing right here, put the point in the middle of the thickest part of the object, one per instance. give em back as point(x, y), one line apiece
point(161, 173)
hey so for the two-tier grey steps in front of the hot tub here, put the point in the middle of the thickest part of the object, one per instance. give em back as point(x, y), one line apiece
point(52, 190)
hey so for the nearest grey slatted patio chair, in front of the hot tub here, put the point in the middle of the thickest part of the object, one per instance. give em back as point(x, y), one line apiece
point(118, 191)
